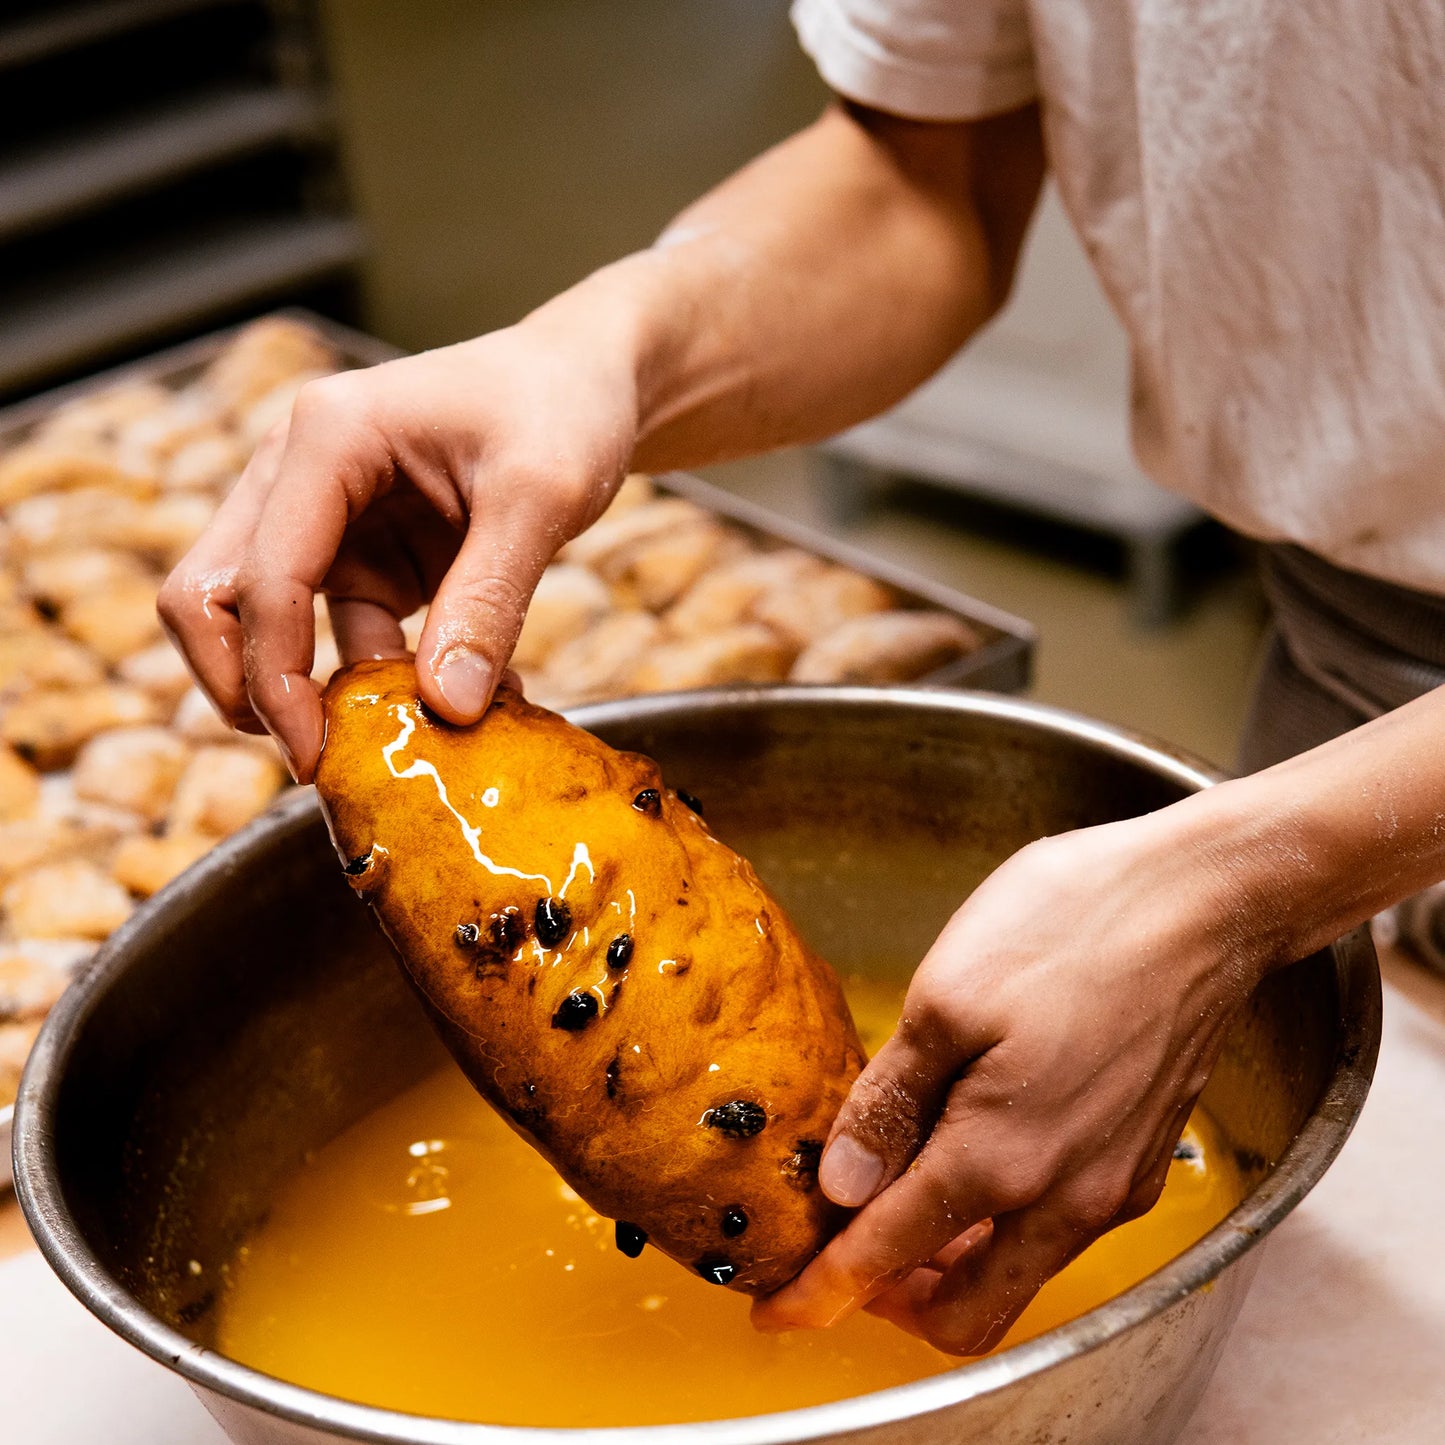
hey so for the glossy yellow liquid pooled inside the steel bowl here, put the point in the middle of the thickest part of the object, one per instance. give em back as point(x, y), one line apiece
point(428, 1261)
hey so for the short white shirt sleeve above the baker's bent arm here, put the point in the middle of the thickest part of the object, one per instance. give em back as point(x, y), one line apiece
point(927, 60)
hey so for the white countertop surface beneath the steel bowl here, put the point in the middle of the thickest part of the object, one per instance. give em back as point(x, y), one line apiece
point(1342, 1339)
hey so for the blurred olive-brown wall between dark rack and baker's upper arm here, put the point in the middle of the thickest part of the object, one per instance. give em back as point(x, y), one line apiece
point(502, 150)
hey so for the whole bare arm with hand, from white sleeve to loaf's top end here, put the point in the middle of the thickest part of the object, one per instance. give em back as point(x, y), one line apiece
point(813, 290)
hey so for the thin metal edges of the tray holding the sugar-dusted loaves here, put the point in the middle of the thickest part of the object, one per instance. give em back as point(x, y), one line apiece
point(1004, 663)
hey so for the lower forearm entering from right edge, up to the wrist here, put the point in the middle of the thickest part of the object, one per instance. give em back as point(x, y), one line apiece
point(1321, 843)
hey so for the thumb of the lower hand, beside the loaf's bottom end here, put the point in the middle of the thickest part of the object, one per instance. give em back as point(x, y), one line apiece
point(889, 1115)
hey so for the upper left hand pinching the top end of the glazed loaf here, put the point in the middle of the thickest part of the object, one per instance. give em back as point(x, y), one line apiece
point(449, 478)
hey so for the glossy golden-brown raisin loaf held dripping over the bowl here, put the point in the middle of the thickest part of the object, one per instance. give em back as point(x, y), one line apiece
point(613, 979)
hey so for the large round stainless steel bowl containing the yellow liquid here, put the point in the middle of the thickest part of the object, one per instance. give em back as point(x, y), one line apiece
point(249, 1014)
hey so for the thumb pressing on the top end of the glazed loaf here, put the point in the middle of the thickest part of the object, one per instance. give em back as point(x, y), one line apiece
point(478, 613)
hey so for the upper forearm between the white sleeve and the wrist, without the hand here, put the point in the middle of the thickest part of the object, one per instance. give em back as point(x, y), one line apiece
point(814, 288)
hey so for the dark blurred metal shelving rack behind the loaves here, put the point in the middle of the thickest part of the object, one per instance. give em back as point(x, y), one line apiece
point(164, 165)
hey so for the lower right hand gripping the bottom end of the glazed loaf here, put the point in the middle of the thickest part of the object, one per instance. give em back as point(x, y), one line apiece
point(1053, 1045)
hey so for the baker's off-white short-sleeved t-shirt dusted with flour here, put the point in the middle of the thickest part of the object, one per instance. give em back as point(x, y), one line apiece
point(1261, 186)
